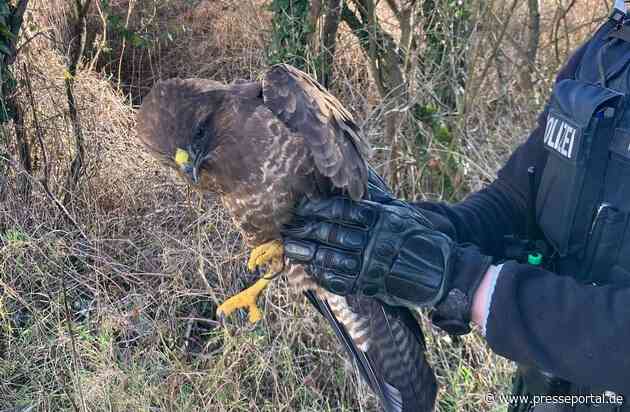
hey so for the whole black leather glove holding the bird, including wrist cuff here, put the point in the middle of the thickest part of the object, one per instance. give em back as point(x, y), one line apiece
point(389, 251)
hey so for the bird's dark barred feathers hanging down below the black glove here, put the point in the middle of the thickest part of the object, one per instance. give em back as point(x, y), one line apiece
point(394, 364)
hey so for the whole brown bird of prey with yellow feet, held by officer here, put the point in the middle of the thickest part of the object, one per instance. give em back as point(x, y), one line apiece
point(262, 146)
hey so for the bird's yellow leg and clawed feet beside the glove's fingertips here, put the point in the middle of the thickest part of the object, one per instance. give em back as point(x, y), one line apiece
point(270, 254)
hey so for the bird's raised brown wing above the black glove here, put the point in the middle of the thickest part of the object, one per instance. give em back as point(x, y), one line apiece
point(334, 140)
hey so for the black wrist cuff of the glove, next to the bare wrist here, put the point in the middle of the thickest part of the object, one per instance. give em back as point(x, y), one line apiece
point(452, 314)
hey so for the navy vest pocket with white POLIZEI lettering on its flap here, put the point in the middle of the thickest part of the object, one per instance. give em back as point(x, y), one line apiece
point(579, 124)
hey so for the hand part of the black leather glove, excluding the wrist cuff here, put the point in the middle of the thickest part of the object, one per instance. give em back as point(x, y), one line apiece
point(385, 251)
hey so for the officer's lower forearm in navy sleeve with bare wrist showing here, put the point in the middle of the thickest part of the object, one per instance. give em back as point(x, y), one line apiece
point(575, 331)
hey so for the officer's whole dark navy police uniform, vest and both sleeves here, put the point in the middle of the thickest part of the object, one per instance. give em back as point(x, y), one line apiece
point(567, 322)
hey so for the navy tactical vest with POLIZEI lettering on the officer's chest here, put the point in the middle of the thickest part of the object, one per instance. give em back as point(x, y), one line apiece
point(583, 200)
